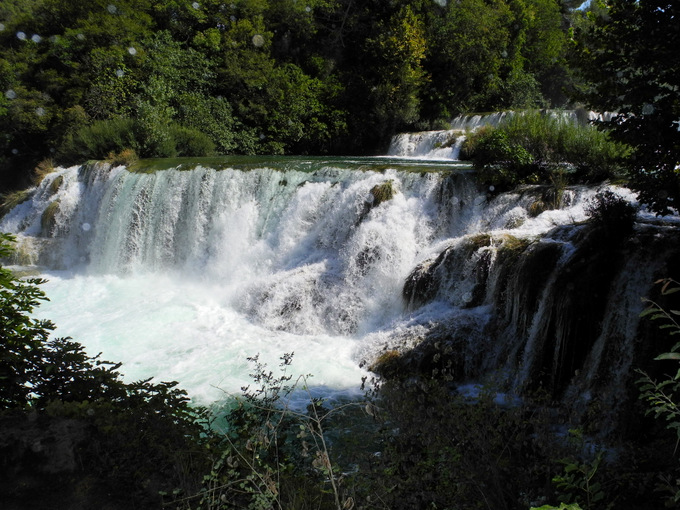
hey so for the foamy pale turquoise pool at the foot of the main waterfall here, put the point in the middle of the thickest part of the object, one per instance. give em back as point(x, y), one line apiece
point(173, 329)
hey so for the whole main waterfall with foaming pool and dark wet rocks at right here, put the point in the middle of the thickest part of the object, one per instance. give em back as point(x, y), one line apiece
point(183, 274)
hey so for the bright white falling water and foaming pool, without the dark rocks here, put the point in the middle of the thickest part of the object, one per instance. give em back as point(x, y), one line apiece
point(182, 275)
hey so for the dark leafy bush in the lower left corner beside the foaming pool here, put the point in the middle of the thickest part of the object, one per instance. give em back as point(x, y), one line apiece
point(130, 440)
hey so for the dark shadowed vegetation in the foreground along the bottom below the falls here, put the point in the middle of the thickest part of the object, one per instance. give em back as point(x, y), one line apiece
point(73, 435)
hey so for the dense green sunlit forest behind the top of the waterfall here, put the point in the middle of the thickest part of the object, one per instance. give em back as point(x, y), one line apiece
point(262, 76)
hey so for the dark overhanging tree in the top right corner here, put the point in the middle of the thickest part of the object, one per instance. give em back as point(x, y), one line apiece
point(634, 66)
